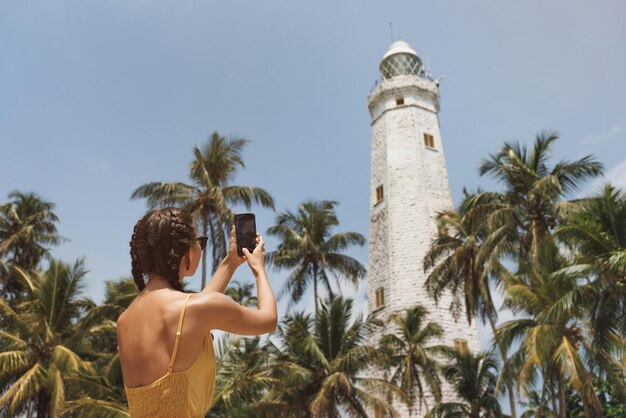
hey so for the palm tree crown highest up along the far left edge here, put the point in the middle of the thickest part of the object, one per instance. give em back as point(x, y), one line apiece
point(27, 227)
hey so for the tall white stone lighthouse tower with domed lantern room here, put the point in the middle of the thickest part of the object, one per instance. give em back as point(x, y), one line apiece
point(409, 185)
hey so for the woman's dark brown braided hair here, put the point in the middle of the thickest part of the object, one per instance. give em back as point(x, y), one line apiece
point(159, 241)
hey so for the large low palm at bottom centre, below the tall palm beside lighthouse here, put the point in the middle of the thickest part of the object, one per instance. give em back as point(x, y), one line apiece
point(334, 354)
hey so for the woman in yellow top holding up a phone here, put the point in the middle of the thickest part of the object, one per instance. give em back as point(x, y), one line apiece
point(164, 340)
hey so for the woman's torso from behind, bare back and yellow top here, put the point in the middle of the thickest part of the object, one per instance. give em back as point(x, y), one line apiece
point(165, 374)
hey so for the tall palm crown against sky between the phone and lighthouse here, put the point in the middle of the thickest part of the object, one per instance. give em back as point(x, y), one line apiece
point(308, 248)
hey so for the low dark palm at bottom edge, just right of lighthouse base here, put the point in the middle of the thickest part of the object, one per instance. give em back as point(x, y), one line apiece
point(474, 379)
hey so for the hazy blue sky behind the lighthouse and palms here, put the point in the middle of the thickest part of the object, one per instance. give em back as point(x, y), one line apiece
point(97, 98)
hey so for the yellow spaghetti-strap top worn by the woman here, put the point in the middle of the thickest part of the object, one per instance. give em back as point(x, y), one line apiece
point(185, 393)
